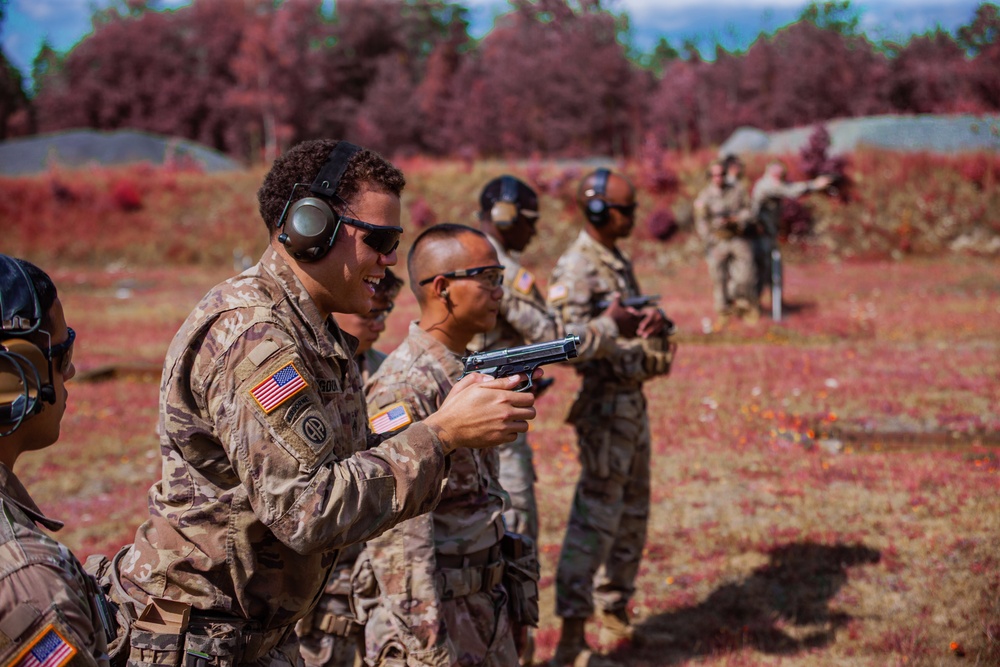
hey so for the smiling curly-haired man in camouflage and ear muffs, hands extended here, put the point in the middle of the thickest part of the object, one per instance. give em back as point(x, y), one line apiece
point(268, 467)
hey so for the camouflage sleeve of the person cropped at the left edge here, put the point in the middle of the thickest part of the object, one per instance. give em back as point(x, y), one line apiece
point(46, 604)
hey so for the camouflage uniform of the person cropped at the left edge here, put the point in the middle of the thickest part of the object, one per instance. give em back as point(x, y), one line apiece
point(47, 601)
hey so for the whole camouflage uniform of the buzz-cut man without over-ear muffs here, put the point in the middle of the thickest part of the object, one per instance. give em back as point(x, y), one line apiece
point(440, 600)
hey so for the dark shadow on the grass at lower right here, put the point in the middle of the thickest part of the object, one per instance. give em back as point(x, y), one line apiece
point(782, 608)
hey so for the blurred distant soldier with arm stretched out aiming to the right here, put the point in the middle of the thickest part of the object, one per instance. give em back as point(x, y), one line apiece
point(768, 194)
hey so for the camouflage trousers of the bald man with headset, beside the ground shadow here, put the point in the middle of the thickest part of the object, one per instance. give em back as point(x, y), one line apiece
point(607, 524)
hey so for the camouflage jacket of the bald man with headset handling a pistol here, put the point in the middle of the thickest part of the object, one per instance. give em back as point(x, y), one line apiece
point(585, 274)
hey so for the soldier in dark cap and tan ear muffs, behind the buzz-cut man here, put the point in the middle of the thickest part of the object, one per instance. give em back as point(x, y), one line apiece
point(508, 214)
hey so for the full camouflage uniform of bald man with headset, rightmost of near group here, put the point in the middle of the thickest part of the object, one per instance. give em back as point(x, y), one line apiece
point(607, 525)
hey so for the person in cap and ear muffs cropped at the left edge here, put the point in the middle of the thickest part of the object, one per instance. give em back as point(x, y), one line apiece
point(50, 609)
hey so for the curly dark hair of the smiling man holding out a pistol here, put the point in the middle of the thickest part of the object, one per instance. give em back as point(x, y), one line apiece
point(301, 164)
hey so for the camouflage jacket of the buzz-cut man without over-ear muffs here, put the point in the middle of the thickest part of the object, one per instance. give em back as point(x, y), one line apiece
point(418, 375)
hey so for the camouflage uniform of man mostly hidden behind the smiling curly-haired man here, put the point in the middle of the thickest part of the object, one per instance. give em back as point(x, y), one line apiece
point(329, 635)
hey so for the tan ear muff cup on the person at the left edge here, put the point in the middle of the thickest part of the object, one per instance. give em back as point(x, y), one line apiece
point(23, 376)
